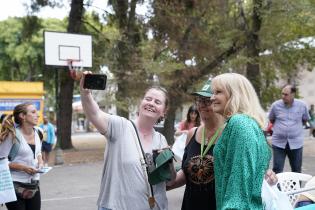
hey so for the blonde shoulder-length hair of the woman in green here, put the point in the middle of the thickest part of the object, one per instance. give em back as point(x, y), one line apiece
point(242, 97)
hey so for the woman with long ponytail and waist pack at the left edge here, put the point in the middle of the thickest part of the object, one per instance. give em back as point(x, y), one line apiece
point(20, 141)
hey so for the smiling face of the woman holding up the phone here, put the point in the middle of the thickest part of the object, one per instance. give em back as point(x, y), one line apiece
point(153, 104)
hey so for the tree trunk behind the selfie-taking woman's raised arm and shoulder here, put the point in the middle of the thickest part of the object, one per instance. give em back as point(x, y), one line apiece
point(127, 52)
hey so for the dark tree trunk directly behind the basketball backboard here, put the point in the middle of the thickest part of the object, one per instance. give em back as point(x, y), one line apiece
point(64, 118)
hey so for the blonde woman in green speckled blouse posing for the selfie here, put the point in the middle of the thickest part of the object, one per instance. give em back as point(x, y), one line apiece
point(241, 154)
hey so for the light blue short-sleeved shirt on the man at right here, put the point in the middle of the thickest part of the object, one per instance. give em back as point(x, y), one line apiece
point(288, 123)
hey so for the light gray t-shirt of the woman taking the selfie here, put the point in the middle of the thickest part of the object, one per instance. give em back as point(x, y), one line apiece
point(124, 184)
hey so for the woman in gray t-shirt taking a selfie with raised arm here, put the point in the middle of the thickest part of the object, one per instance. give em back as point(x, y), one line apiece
point(124, 183)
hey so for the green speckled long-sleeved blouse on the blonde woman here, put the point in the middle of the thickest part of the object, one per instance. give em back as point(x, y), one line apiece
point(241, 158)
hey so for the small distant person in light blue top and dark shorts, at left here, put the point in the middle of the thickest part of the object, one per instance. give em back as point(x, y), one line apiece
point(48, 139)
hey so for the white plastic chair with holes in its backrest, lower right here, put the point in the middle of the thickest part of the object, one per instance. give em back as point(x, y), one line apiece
point(290, 182)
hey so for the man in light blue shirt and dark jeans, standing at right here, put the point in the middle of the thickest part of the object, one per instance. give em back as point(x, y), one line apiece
point(288, 115)
